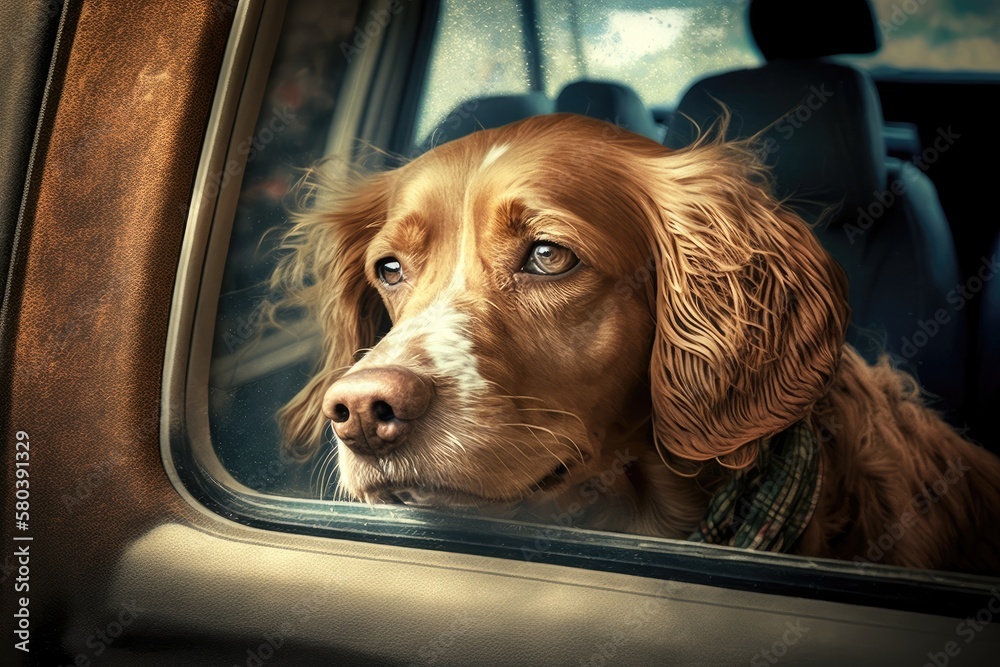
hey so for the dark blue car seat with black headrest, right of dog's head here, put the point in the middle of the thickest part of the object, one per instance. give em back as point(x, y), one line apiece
point(819, 127)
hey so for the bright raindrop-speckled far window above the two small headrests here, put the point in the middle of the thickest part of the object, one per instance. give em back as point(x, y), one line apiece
point(655, 47)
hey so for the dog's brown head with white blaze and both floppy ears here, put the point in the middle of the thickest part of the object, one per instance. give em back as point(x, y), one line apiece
point(557, 289)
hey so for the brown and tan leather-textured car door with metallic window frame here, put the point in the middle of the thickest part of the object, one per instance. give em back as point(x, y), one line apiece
point(131, 535)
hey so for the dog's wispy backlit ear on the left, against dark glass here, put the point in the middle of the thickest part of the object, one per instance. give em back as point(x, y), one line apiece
point(323, 271)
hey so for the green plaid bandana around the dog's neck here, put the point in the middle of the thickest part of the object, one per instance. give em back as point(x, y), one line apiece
point(767, 506)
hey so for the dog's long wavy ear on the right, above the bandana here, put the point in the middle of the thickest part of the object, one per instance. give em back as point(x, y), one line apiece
point(750, 310)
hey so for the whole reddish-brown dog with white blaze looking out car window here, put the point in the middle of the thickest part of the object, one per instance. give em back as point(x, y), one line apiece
point(561, 318)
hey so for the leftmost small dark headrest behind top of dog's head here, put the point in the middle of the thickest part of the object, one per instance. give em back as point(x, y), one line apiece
point(486, 113)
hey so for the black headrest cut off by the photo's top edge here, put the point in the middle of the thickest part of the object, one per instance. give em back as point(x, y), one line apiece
point(802, 29)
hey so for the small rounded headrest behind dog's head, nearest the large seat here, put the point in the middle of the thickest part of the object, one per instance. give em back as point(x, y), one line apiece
point(610, 101)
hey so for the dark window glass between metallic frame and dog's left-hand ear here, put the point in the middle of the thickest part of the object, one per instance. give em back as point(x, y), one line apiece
point(255, 368)
